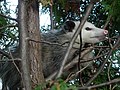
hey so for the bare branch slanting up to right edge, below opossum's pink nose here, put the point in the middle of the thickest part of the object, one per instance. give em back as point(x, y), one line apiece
point(102, 66)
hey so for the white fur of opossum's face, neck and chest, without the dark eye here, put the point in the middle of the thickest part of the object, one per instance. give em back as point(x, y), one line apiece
point(94, 35)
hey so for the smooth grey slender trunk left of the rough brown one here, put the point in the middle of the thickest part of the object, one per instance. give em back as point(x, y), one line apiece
point(24, 43)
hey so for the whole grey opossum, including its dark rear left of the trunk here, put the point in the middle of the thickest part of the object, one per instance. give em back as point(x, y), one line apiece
point(54, 50)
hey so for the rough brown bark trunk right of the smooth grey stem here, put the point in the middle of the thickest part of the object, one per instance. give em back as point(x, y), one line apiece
point(34, 48)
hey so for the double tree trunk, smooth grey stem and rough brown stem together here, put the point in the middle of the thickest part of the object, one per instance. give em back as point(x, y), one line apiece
point(30, 51)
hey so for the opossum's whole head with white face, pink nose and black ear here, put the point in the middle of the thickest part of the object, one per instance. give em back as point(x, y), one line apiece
point(90, 33)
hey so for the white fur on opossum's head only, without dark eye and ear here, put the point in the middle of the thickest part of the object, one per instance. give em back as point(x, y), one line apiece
point(92, 36)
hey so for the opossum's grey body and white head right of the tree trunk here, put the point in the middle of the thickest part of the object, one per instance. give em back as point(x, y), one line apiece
point(53, 54)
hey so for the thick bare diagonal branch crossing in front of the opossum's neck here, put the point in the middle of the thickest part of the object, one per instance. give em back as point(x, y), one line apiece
point(74, 38)
